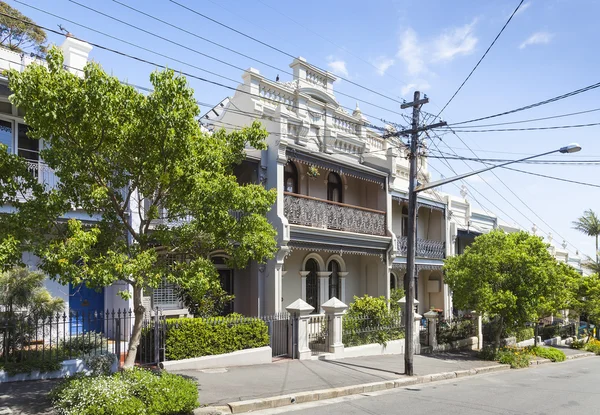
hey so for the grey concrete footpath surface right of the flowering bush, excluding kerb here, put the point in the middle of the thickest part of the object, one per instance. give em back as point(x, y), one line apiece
point(221, 386)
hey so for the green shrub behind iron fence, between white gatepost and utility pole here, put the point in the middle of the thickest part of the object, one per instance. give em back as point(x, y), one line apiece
point(369, 321)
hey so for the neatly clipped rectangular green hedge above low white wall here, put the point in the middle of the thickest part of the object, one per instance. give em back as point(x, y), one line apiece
point(194, 337)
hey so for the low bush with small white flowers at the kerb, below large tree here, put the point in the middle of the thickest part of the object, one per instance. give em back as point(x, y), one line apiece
point(131, 392)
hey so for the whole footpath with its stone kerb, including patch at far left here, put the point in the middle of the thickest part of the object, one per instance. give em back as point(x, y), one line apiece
point(251, 388)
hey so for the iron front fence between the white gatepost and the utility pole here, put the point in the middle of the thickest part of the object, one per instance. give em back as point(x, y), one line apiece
point(359, 330)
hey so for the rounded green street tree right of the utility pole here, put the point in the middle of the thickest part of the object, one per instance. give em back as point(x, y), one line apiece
point(510, 277)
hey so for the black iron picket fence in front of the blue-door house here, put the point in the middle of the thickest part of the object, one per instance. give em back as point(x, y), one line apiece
point(53, 339)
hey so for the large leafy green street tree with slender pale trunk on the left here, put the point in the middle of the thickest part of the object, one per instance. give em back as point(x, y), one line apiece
point(164, 191)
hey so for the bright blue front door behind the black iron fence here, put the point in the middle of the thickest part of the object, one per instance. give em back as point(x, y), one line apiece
point(86, 307)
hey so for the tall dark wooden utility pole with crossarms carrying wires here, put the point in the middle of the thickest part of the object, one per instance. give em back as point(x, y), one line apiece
point(409, 348)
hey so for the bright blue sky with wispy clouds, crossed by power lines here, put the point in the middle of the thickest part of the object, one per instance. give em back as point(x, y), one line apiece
point(393, 47)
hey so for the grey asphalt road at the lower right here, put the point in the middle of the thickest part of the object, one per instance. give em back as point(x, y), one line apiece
point(553, 389)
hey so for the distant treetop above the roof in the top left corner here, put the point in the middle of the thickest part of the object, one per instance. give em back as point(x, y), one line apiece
point(18, 35)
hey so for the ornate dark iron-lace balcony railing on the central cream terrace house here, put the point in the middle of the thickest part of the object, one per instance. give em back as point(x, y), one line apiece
point(318, 213)
